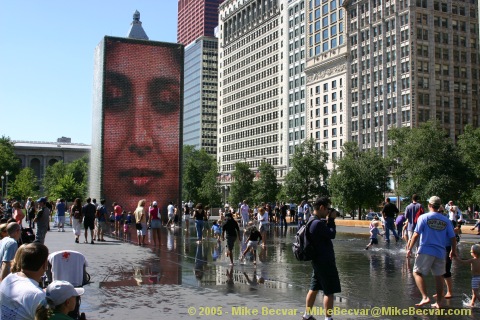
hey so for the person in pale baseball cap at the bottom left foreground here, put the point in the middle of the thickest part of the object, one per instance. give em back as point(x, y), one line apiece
point(61, 299)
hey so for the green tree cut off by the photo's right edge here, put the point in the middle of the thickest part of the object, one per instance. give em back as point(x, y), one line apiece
point(469, 151)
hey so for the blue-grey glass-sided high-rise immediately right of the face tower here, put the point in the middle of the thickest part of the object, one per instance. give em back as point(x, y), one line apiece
point(200, 95)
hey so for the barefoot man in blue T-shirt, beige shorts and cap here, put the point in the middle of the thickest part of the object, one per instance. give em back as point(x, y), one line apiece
point(431, 230)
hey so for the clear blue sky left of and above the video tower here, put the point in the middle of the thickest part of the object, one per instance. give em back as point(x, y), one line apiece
point(46, 60)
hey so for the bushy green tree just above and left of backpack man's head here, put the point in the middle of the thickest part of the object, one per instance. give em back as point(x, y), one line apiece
point(308, 176)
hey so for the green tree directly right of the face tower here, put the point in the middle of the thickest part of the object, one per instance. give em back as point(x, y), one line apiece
point(199, 181)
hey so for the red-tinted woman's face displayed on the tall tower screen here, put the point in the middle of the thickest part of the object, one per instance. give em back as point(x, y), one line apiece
point(141, 123)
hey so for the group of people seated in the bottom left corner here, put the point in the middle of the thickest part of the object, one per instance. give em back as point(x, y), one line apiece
point(22, 271)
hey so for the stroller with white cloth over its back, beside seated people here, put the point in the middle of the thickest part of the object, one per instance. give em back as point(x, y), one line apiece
point(68, 265)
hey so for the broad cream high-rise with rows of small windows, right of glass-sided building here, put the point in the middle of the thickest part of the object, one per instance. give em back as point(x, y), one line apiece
point(251, 106)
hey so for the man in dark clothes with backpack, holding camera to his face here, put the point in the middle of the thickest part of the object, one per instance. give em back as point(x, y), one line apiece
point(325, 275)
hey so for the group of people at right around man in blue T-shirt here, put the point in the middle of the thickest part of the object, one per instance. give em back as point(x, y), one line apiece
point(431, 238)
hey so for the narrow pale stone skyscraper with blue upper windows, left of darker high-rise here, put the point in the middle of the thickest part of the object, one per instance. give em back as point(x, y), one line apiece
point(326, 75)
